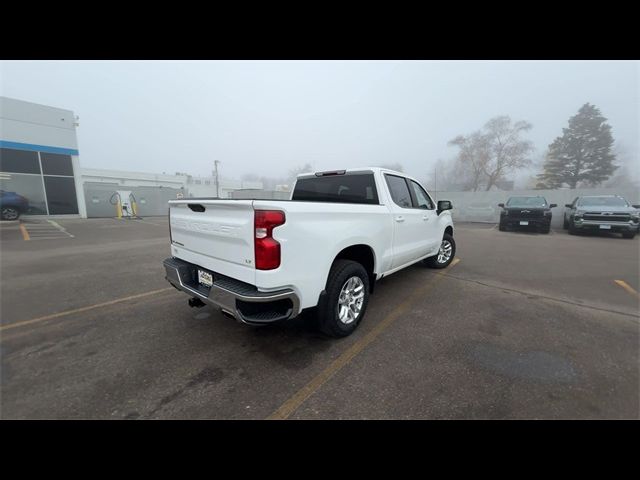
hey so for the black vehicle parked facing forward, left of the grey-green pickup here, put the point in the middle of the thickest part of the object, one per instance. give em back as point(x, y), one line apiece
point(526, 212)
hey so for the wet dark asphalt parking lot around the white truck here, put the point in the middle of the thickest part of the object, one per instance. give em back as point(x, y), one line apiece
point(524, 325)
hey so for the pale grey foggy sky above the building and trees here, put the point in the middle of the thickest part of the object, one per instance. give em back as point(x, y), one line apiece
point(267, 117)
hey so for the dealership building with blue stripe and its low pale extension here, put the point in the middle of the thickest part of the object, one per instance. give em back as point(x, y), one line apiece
point(40, 171)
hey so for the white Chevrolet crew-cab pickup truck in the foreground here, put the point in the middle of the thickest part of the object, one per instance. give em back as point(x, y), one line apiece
point(262, 261)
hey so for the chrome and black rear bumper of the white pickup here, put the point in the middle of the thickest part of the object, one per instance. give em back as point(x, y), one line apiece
point(241, 300)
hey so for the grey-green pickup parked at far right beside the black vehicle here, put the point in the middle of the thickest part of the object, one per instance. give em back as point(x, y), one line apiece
point(610, 213)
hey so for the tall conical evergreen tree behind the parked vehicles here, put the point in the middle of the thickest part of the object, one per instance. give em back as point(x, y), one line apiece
point(583, 154)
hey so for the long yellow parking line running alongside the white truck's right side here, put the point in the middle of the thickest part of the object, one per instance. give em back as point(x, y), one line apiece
point(294, 402)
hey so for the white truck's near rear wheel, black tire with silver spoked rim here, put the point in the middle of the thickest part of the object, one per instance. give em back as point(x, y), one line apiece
point(347, 295)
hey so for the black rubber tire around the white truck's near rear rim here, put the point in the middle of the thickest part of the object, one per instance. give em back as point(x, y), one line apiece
point(328, 314)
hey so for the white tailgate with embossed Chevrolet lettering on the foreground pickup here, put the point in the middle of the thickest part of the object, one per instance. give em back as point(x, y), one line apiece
point(215, 234)
